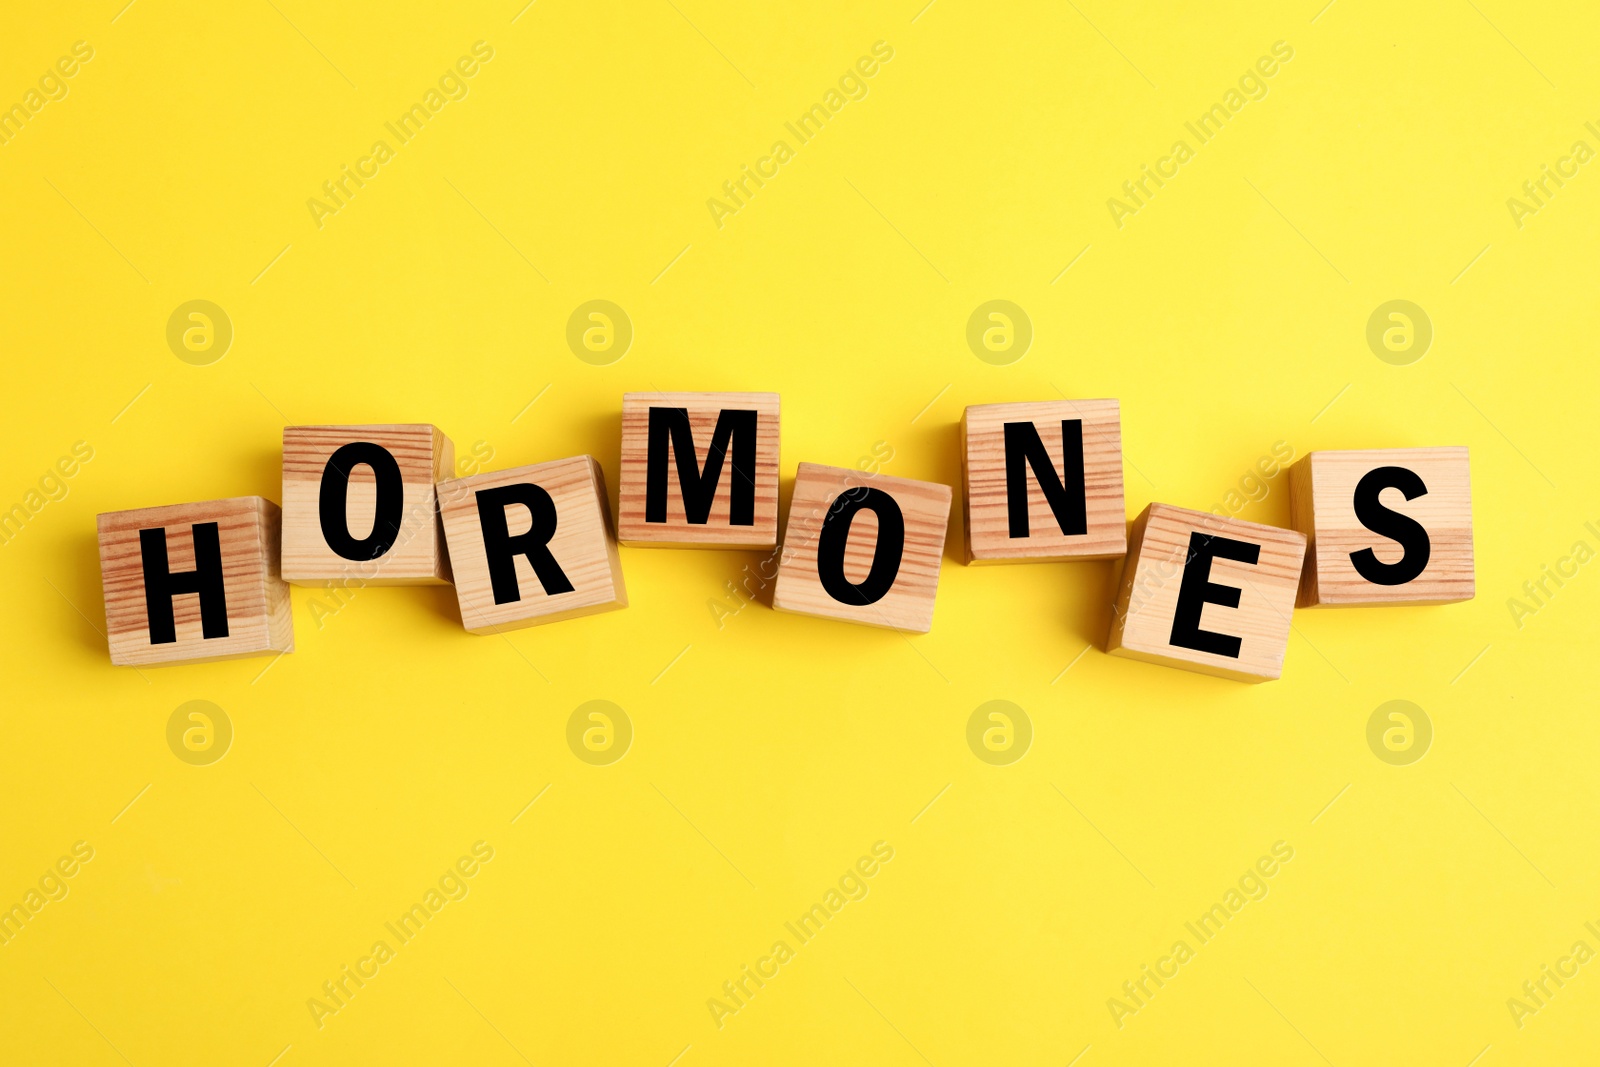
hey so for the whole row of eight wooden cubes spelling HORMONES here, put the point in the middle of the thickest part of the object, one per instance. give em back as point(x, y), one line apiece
point(375, 505)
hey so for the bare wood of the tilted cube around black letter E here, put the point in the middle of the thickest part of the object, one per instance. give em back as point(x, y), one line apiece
point(1142, 625)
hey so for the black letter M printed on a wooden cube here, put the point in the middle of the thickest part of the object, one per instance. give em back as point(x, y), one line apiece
point(670, 430)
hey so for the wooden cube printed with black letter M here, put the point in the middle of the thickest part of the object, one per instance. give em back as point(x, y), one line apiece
point(700, 471)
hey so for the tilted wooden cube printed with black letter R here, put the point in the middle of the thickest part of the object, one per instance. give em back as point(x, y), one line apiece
point(532, 545)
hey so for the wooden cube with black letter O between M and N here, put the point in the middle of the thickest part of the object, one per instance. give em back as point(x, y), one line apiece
point(863, 548)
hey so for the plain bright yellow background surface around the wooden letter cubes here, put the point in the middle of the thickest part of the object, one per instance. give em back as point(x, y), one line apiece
point(772, 751)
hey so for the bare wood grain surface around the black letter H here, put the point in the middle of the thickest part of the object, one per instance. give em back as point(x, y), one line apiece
point(258, 601)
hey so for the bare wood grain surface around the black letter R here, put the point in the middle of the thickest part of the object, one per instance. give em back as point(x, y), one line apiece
point(583, 546)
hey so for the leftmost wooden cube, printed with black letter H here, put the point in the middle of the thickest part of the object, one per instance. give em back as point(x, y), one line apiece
point(194, 581)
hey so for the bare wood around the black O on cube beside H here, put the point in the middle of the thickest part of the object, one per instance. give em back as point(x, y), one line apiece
point(418, 556)
